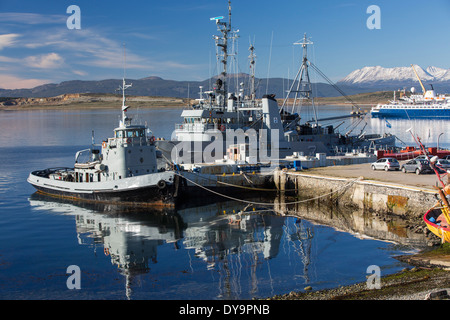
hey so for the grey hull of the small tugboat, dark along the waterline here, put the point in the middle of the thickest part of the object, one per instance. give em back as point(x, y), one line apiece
point(146, 190)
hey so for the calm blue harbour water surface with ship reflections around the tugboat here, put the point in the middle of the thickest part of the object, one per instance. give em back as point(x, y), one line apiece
point(207, 252)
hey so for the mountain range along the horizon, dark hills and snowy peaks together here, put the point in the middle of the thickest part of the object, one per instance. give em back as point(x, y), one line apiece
point(367, 79)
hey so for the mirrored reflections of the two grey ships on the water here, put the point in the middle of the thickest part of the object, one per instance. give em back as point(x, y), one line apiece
point(131, 237)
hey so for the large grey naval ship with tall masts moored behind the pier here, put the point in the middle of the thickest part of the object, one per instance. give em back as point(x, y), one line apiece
point(216, 119)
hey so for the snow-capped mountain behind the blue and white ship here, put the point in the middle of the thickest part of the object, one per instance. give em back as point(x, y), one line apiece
point(398, 75)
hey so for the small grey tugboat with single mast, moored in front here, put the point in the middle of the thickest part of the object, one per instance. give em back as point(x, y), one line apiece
point(122, 169)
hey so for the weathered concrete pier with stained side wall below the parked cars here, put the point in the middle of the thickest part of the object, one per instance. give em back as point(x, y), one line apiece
point(353, 185)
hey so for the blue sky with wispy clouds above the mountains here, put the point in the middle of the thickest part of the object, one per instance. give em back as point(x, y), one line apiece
point(173, 39)
